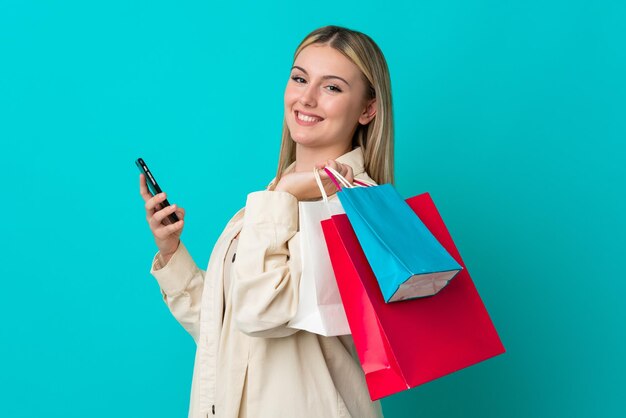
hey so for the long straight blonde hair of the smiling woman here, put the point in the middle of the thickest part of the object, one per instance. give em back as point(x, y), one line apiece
point(375, 138)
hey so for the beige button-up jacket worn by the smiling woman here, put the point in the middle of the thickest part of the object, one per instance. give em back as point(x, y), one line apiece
point(248, 363)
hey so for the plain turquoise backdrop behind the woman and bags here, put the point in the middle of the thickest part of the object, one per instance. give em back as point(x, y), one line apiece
point(510, 113)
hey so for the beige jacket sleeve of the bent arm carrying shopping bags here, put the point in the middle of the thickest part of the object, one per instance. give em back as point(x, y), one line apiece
point(266, 273)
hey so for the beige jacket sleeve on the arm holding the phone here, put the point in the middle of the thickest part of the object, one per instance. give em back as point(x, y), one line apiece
point(181, 283)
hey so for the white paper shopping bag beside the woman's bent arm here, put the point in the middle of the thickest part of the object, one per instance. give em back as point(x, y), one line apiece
point(320, 309)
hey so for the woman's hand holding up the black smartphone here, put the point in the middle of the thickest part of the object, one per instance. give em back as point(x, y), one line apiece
point(166, 234)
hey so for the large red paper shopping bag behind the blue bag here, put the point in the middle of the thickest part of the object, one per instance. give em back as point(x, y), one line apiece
point(405, 344)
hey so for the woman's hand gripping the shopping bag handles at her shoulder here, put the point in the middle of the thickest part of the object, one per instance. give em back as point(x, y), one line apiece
point(303, 185)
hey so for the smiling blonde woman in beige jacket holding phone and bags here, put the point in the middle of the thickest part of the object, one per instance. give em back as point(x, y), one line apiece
point(248, 362)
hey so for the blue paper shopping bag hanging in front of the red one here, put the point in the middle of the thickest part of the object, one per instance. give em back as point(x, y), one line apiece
point(406, 258)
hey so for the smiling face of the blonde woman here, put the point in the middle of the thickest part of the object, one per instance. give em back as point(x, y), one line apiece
point(325, 98)
